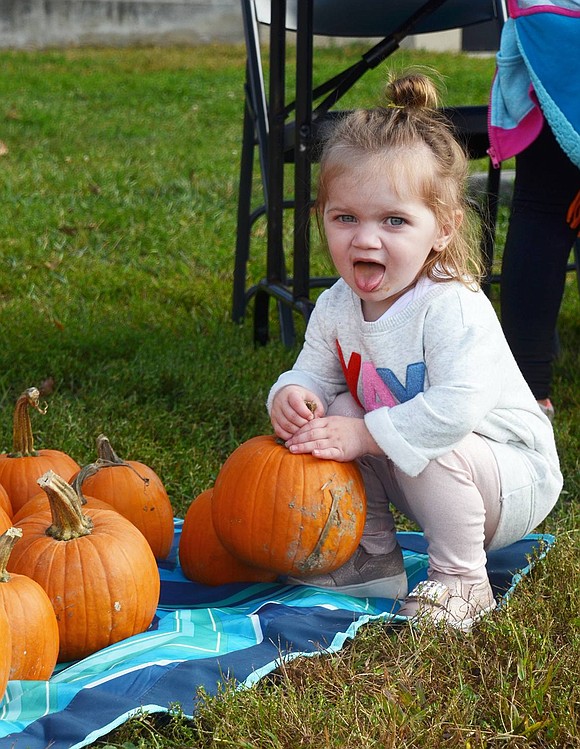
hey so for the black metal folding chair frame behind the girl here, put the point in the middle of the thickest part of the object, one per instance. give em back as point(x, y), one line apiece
point(279, 138)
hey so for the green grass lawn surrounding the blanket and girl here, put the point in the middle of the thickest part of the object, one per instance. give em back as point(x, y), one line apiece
point(117, 232)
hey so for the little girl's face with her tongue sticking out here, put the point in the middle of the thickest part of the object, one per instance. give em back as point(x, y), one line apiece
point(378, 241)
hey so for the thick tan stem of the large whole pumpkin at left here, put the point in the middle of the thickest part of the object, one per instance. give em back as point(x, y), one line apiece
point(68, 519)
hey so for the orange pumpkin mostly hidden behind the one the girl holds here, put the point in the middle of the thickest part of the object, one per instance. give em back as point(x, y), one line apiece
point(202, 555)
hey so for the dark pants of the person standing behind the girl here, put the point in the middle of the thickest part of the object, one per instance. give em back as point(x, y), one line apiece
point(536, 254)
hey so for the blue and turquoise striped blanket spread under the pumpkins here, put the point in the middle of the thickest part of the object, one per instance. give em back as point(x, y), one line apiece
point(202, 636)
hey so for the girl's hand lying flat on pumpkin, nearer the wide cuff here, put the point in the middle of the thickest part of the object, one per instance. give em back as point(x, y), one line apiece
point(339, 438)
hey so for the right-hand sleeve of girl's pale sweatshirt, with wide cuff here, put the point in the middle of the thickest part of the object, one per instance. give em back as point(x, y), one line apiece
point(464, 355)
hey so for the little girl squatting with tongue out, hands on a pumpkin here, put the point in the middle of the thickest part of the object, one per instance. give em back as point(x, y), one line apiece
point(410, 374)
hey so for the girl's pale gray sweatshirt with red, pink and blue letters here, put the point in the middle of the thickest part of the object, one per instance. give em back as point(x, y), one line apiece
point(427, 376)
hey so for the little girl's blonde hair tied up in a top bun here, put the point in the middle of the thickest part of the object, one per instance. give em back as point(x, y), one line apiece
point(399, 137)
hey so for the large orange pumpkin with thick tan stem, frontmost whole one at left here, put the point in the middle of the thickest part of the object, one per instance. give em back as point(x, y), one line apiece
point(96, 567)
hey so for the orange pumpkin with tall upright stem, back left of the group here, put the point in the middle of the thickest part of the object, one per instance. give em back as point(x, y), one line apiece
point(20, 469)
